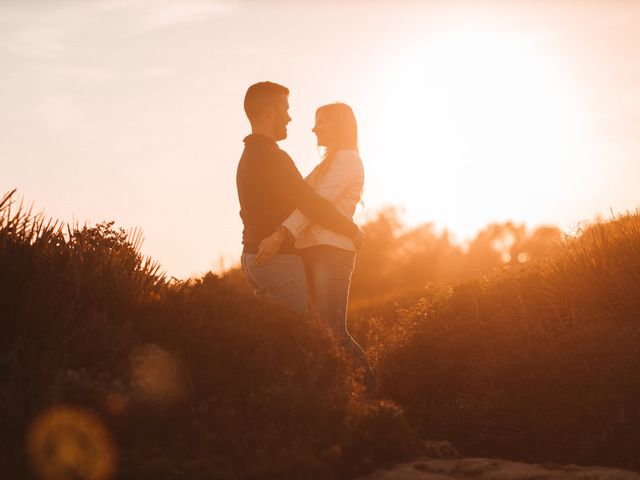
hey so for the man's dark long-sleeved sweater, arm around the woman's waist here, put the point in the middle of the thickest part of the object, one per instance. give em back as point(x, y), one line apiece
point(270, 188)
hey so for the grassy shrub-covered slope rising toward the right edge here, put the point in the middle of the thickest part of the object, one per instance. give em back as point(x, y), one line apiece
point(540, 362)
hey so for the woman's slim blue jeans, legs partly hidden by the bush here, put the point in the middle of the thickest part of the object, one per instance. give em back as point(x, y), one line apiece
point(329, 272)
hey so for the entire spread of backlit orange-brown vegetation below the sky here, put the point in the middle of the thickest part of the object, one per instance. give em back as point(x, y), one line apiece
point(521, 344)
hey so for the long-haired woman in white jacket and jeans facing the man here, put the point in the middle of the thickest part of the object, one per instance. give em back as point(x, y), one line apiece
point(329, 258)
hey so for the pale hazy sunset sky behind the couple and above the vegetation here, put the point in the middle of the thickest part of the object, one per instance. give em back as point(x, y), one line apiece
point(131, 110)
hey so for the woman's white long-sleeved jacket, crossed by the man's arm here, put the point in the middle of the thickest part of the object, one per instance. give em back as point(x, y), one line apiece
point(342, 185)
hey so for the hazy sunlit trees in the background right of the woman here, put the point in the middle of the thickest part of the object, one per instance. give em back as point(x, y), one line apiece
point(398, 263)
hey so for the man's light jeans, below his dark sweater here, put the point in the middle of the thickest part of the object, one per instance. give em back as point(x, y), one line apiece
point(282, 278)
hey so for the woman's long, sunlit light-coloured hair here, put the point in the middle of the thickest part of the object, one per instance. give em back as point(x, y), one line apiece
point(345, 133)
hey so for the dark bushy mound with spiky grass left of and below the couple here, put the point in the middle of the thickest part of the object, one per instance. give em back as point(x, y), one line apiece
point(193, 380)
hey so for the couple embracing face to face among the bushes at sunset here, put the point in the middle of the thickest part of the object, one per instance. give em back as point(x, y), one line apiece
point(299, 239)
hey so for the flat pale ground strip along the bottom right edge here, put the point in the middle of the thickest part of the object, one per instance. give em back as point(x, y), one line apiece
point(493, 469)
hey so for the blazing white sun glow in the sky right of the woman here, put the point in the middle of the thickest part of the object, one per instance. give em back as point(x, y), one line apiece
point(474, 126)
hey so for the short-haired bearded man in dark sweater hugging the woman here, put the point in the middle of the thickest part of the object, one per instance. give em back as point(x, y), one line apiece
point(270, 188)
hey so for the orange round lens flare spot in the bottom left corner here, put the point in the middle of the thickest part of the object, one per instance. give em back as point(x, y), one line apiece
point(71, 443)
